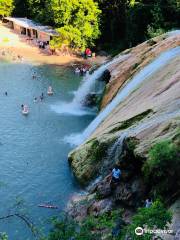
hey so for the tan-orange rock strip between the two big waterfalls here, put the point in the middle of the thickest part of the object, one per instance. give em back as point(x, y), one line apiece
point(139, 57)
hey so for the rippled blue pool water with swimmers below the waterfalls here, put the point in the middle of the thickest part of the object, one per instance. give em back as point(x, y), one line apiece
point(33, 155)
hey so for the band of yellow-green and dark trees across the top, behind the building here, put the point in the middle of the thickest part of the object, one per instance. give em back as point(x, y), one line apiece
point(115, 24)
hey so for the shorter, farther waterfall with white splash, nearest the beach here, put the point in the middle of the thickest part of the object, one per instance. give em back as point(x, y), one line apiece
point(76, 106)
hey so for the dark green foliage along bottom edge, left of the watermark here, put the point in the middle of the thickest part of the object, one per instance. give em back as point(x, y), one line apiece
point(91, 228)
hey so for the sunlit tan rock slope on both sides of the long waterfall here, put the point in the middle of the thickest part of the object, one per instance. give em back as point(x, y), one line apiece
point(158, 95)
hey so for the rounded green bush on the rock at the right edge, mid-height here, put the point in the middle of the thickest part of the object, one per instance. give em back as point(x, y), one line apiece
point(163, 157)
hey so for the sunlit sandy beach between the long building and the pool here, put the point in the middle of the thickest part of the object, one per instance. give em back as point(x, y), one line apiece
point(14, 45)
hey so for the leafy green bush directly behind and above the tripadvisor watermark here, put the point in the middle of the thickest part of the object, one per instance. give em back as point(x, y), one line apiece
point(154, 217)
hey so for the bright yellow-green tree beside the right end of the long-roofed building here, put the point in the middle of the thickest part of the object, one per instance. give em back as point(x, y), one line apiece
point(77, 22)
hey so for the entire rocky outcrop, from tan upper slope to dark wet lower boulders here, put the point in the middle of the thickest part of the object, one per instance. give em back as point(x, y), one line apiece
point(148, 115)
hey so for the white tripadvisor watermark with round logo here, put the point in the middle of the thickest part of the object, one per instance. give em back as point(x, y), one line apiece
point(140, 231)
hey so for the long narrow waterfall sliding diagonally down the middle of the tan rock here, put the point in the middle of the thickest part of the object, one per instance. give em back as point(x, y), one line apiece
point(150, 69)
